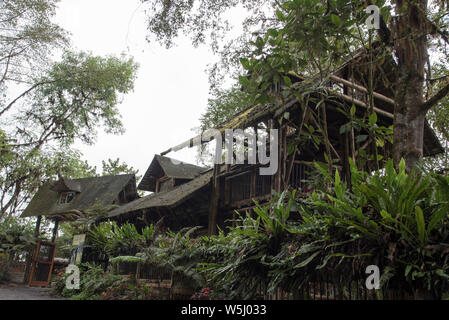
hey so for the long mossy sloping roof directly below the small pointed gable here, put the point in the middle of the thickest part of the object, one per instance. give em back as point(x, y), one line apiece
point(169, 198)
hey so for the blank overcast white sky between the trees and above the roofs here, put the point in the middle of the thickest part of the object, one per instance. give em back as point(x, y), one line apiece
point(170, 92)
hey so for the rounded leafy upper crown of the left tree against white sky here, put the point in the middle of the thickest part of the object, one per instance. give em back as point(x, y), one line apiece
point(78, 94)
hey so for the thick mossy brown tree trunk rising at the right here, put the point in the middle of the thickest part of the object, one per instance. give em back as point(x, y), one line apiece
point(411, 50)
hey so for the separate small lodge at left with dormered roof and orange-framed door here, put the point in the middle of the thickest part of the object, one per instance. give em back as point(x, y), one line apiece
point(68, 200)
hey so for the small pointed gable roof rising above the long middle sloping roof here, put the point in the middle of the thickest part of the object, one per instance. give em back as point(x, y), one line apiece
point(164, 166)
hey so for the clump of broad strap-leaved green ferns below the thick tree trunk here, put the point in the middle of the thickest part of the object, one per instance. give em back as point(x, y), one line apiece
point(399, 220)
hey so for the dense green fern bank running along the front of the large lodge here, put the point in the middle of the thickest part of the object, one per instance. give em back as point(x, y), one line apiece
point(392, 219)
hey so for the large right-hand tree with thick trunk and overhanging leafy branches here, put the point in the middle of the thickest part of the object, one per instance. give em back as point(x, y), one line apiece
point(314, 36)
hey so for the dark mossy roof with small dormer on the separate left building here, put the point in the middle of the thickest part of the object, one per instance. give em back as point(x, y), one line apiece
point(96, 190)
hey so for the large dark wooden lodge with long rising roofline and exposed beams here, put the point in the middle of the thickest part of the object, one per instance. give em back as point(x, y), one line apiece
point(186, 195)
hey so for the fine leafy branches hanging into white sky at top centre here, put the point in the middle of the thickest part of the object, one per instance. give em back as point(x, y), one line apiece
point(205, 21)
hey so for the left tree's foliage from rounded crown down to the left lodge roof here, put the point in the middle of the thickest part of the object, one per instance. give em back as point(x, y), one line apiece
point(70, 101)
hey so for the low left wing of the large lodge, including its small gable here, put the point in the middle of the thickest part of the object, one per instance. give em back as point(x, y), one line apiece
point(181, 193)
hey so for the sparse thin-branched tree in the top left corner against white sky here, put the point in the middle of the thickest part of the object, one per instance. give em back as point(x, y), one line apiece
point(27, 36)
